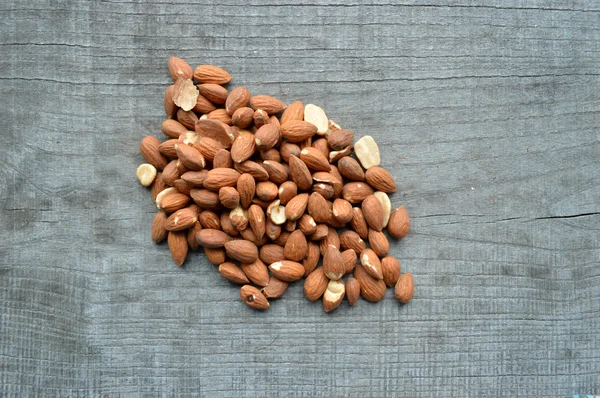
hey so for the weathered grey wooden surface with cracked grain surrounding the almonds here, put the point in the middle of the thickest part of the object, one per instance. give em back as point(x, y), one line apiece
point(487, 112)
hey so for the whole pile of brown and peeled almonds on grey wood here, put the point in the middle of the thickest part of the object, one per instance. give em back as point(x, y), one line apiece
point(272, 187)
